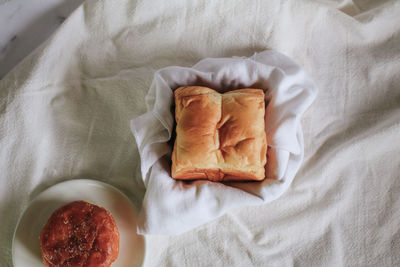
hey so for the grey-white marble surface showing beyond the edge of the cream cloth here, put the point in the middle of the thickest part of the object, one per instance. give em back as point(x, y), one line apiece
point(25, 24)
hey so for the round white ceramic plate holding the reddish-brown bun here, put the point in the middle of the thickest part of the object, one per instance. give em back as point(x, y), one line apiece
point(26, 246)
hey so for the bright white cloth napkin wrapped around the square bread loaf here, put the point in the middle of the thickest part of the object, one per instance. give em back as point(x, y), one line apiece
point(172, 207)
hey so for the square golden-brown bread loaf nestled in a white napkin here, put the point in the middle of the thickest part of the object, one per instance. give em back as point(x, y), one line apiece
point(219, 137)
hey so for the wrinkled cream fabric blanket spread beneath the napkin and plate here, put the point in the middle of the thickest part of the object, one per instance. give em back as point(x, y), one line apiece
point(65, 111)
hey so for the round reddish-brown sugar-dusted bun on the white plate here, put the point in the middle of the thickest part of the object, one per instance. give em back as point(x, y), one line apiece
point(79, 234)
